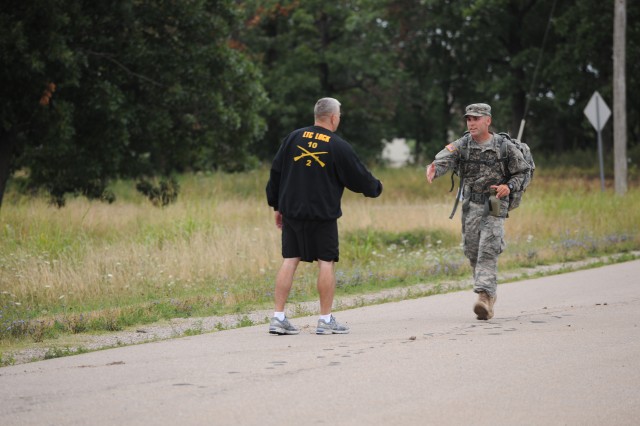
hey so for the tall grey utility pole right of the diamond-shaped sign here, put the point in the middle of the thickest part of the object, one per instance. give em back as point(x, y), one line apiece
point(619, 97)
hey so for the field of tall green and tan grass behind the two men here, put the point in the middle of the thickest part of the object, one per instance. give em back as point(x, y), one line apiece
point(92, 266)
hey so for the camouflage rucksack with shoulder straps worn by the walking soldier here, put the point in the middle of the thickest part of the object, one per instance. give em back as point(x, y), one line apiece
point(515, 197)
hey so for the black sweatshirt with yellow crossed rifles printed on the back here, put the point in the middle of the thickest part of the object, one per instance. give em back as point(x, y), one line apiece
point(309, 174)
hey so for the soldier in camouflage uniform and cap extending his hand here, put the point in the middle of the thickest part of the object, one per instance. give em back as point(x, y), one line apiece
point(483, 175)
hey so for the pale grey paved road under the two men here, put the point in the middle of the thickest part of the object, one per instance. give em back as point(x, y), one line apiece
point(563, 349)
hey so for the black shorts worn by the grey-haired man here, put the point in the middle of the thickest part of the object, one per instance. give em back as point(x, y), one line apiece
point(310, 239)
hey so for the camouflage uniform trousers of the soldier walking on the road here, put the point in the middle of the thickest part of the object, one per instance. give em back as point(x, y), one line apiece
point(483, 241)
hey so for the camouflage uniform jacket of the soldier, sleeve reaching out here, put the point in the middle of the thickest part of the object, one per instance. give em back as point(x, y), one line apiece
point(479, 176)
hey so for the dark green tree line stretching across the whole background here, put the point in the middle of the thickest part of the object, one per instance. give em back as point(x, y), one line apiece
point(133, 88)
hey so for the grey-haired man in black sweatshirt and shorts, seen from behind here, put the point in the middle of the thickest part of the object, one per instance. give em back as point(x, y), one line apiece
point(307, 180)
